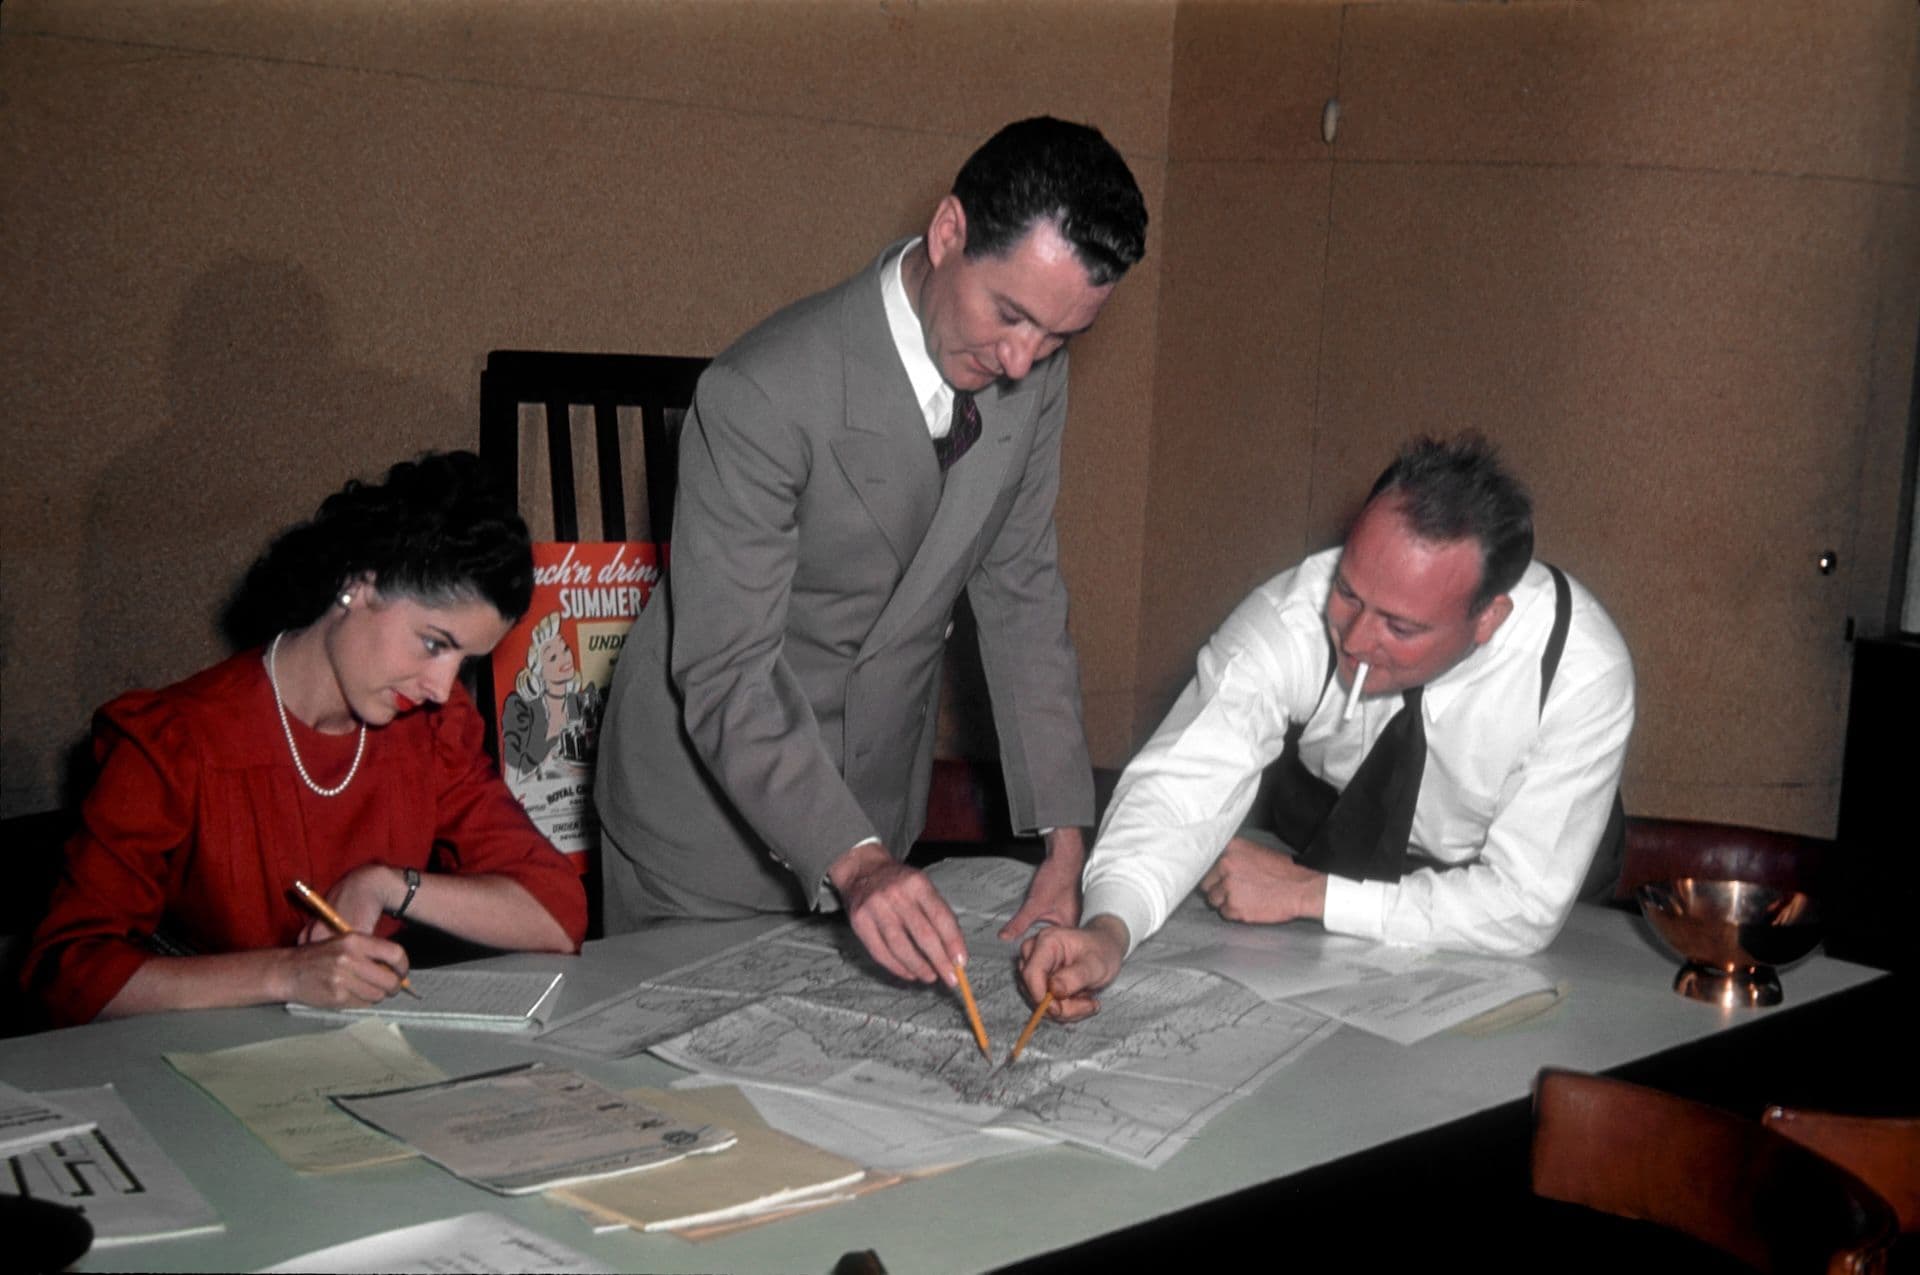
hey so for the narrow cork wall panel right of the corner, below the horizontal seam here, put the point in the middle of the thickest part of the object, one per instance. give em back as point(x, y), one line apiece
point(1234, 414)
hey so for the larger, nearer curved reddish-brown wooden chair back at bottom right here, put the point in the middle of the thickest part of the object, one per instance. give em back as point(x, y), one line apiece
point(1727, 1182)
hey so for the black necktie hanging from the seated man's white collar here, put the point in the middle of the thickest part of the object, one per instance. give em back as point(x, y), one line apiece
point(1370, 827)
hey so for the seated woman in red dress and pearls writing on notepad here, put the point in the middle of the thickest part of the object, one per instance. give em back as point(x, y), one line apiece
point(341, 754)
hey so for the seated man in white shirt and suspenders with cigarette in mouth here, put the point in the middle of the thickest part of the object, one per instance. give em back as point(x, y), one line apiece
point(1456, 800)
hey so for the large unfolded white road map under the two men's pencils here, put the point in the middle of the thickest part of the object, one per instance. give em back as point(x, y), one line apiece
point(802, 1007)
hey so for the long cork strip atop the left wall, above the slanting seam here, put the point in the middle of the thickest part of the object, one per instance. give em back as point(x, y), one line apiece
point(900, 64)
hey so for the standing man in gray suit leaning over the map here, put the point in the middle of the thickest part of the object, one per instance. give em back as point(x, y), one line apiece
point(848, 469)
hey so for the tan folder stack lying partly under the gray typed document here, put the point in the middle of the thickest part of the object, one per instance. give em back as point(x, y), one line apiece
point(767, 1172)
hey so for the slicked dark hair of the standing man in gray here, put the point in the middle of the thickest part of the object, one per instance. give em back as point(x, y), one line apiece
point(1049, 170)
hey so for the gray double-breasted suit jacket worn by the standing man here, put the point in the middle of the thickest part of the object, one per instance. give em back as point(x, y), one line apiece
point(782, 706)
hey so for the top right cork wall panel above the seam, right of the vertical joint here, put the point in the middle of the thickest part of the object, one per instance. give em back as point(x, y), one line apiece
point(1783, 87)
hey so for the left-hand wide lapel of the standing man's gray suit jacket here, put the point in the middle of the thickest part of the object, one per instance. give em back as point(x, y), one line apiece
point(884, 446)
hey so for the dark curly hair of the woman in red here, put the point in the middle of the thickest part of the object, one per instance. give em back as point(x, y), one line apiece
point(435, 529)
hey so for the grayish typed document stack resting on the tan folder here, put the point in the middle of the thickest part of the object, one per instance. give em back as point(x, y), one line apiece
point(531, 1128)
